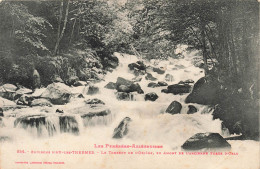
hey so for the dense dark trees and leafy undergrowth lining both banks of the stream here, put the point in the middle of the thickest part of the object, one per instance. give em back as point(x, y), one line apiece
point(65, 39)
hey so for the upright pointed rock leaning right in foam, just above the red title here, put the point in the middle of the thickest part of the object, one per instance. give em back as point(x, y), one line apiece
point(122, 129)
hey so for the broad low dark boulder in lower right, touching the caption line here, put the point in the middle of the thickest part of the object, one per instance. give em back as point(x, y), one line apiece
point(205, 140)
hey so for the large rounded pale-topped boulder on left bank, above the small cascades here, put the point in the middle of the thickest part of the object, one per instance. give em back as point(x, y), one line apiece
point(57, 93)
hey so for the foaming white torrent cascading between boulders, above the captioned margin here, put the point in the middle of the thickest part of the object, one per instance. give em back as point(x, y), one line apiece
point(147, 117)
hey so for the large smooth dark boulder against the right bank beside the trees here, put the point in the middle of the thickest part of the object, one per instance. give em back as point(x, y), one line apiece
point(205, 91)
